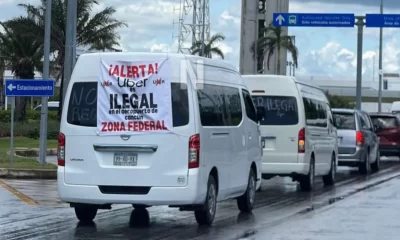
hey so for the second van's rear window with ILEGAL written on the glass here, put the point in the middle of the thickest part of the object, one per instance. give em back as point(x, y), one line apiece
point(279, 110)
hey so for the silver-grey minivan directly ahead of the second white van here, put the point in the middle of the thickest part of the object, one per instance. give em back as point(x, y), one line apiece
point(358, 142)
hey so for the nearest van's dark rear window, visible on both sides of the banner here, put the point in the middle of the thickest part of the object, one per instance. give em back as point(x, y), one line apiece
point(82, 107)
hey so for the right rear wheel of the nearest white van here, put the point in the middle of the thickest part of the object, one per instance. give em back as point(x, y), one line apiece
point(206, 215)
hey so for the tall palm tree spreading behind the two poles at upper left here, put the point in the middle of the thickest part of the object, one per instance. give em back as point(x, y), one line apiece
point(91, 28)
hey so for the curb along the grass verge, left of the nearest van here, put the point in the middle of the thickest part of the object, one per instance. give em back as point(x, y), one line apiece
point(28, 173)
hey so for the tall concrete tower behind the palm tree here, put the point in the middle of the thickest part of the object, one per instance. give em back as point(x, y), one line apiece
point(256, 14)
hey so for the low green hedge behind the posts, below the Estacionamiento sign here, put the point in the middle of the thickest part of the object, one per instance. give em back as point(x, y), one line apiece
point(30, 129)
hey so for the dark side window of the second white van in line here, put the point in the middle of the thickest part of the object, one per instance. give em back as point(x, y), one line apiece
point(315, 112)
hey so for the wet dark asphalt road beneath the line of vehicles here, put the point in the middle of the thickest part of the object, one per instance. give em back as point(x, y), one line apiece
point(279, 202)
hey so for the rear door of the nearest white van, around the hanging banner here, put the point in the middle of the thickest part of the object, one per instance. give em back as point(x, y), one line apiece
point(155, 159)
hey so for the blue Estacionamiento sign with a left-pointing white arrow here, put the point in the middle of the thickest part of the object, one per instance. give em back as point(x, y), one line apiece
point(29, 88)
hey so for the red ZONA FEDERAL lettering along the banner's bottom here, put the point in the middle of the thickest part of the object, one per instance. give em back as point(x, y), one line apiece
point(134, 126)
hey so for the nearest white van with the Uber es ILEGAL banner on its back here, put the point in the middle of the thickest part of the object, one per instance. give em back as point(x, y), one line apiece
point(211, 151)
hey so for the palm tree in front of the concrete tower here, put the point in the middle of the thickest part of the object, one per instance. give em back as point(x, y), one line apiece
point(273, 40)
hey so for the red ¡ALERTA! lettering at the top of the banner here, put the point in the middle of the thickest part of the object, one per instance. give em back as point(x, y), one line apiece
point(133, 71)
